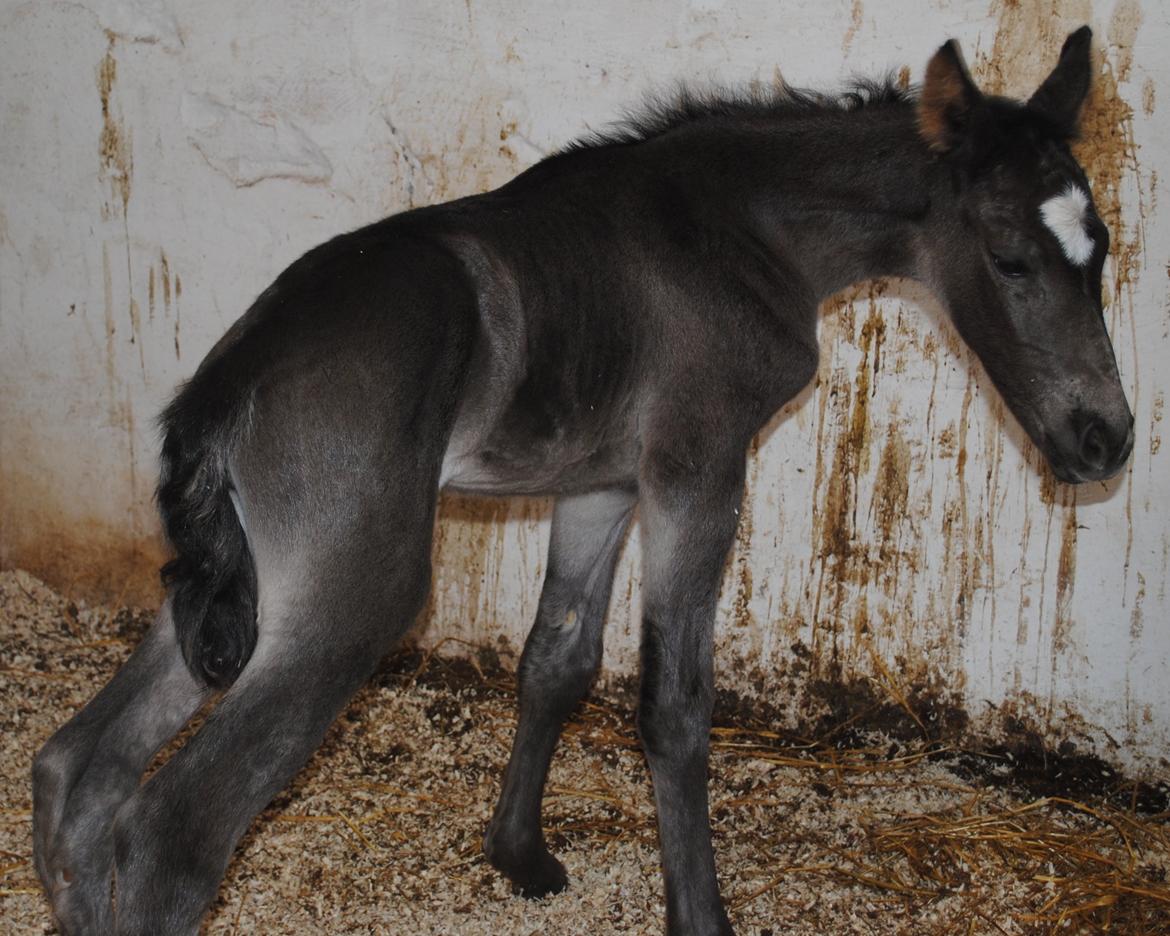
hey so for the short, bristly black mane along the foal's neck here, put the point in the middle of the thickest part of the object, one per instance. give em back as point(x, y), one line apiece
point(663, 114)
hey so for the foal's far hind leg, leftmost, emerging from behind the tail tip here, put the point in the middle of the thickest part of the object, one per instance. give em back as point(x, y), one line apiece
point(94, 763)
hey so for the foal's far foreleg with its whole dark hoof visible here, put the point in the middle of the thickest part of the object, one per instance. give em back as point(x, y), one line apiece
point(561, 659)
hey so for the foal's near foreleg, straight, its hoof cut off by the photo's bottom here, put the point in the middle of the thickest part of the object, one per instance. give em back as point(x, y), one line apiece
point(689, 524)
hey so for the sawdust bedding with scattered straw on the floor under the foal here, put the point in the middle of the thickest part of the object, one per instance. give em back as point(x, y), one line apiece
point(381, 832)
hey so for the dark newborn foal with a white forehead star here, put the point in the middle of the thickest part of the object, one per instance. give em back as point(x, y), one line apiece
point(614, 328)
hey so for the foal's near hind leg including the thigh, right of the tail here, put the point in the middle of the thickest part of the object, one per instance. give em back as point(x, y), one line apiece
point(339, 501)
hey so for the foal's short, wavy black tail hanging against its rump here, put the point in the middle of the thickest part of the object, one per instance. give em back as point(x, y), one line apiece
point(212, 581)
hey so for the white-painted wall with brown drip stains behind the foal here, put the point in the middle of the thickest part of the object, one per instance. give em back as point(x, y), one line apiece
point(162, 162)
